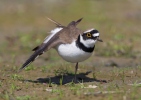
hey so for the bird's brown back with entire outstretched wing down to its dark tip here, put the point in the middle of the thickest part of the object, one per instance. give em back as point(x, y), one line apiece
point(66, 35)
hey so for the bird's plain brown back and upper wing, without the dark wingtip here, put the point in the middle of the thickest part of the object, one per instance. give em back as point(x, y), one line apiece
point(66, 35)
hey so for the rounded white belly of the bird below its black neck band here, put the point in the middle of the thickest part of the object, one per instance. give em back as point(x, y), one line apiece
point(71, 53)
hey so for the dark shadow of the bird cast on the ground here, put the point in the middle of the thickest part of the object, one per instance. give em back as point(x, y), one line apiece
point(67, 78)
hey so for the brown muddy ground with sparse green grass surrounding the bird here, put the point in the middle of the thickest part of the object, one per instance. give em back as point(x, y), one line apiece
point(112, 73)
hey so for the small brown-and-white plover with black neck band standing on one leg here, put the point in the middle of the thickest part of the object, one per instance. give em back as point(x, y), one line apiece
point(71, 43)
